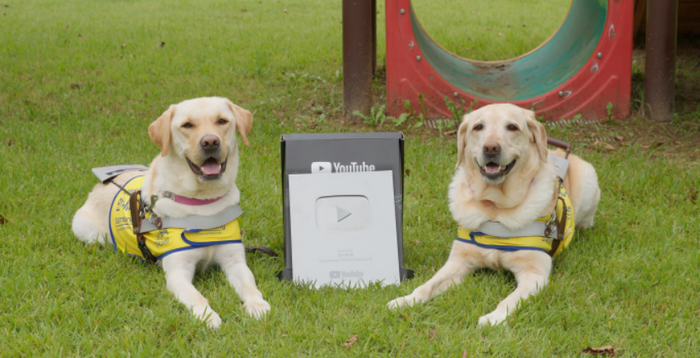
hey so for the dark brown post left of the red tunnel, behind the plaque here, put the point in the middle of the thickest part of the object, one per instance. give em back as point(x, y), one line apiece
point(357, 56)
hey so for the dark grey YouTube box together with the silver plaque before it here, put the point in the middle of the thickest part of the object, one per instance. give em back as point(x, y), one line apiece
point(342, 208)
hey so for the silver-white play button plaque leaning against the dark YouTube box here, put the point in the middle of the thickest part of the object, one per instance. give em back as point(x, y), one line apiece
point(344, 229)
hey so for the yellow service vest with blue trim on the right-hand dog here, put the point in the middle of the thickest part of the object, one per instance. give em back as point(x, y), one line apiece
point(541, 243)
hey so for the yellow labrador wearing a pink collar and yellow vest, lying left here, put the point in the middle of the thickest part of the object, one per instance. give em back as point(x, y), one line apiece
point(194, 176)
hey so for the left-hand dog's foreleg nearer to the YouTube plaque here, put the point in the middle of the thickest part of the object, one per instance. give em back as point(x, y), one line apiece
point(231, 259)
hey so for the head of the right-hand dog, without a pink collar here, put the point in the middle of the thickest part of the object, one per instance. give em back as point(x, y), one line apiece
point(497, 138)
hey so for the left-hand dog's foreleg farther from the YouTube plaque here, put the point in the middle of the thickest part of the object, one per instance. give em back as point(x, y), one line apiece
point(179, 270)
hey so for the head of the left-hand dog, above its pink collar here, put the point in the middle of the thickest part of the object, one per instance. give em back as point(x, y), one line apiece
point(202, 132)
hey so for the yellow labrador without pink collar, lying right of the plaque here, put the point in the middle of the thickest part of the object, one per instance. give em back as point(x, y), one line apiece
point(507, 182)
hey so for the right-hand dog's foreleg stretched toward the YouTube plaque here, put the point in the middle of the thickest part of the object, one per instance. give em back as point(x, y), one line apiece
point(458, 265)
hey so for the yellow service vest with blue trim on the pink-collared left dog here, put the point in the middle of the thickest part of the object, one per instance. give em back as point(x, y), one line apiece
point(165, 241)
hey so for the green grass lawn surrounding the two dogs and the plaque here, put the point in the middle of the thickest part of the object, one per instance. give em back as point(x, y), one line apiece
point(70, 103)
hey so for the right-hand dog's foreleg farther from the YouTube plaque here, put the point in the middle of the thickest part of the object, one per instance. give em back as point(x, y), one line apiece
point(531, 270)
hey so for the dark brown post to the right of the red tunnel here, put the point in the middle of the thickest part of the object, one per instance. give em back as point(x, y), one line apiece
point(662, 25)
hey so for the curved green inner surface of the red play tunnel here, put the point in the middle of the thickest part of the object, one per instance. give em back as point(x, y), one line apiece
point(527, 76)
